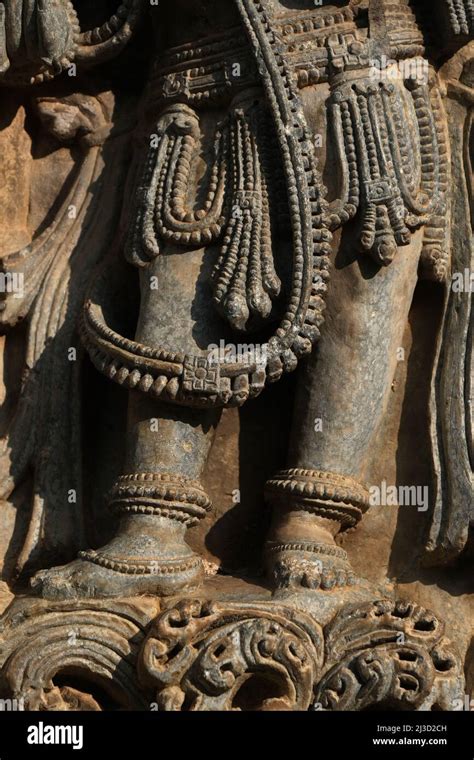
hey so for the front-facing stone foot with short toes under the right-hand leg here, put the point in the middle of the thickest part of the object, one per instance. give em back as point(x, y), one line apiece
point(308, 565)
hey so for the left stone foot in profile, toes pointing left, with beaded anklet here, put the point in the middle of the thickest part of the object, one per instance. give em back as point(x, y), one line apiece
point(129, 565)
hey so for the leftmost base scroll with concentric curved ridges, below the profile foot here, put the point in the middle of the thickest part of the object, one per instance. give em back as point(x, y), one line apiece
point(97, 641)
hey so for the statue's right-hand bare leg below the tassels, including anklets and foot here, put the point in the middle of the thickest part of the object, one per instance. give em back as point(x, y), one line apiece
point(342, 395)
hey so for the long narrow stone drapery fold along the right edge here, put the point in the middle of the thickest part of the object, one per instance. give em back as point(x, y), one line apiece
point(452, 387)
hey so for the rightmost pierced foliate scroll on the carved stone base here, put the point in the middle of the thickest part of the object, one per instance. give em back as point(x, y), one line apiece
point(391, 655)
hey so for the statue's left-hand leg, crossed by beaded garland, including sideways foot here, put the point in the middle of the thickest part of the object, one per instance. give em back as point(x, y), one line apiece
point(159, 495)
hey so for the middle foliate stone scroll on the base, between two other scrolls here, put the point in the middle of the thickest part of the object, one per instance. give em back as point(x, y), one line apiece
point(204, 656)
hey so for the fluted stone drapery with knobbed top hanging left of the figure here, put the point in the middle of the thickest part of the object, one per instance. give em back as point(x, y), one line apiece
point(55, 268)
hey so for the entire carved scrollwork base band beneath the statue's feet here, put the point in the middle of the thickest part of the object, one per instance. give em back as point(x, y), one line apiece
point(205, 655)
